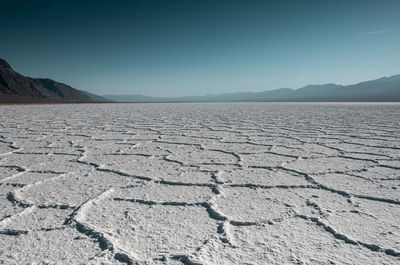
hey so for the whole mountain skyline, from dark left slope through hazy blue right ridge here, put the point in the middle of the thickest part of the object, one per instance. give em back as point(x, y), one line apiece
point(15, 87)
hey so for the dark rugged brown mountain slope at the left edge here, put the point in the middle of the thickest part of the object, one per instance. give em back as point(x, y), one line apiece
point(15, 87)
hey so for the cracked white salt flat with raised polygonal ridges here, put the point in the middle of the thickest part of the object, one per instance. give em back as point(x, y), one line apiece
point(232, 183)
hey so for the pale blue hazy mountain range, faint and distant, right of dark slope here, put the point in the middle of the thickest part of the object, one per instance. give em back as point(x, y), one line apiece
point(386, 89)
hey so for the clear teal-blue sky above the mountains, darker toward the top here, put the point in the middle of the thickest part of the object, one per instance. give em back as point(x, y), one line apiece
point(198, 47)
